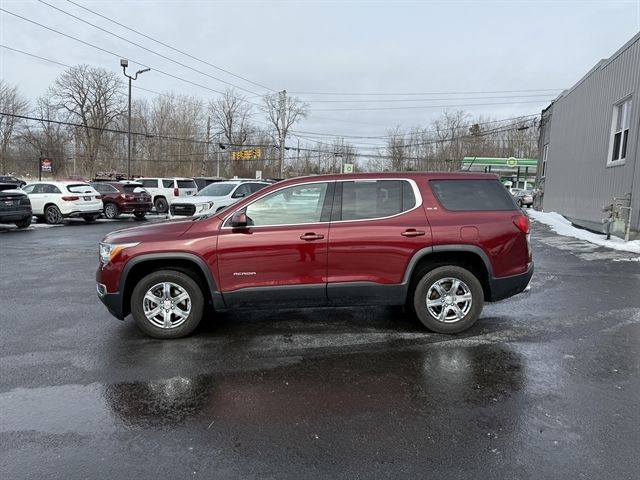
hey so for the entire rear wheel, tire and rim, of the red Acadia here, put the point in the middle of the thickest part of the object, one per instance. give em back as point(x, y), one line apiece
point(458, 310)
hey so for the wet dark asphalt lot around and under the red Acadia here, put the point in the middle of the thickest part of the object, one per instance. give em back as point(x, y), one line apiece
point(546, 385)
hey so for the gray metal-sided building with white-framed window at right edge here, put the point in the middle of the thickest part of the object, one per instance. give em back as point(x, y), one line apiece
point(589, 148)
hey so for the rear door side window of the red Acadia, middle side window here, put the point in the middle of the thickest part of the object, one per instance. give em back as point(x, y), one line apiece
point(376, 199)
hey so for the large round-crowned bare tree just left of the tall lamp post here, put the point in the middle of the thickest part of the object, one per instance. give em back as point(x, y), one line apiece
point(94, 98)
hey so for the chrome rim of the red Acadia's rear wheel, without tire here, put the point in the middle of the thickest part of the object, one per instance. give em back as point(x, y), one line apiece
point(449, 300)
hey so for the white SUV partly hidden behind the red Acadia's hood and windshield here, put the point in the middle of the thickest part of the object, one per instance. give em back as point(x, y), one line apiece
point(215, 197)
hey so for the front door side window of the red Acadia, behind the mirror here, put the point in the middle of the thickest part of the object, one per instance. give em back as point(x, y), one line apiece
point(293, 205)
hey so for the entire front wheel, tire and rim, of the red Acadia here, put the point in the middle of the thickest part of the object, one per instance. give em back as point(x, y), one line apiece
point(167, 304)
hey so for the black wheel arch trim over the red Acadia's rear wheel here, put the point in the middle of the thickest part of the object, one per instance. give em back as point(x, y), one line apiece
point(470, 257)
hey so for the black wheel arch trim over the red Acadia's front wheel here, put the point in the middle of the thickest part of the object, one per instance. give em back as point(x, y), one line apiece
point(187, 263)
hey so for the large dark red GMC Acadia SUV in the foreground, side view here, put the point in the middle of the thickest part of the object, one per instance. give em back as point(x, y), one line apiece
point(440, 243)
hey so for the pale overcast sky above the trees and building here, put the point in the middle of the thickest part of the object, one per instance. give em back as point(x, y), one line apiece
point(320, 50)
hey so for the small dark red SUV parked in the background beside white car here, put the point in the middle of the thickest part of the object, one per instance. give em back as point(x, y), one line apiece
point(123, 197)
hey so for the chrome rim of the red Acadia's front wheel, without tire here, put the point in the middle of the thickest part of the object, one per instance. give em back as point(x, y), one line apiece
point(167, 305)
